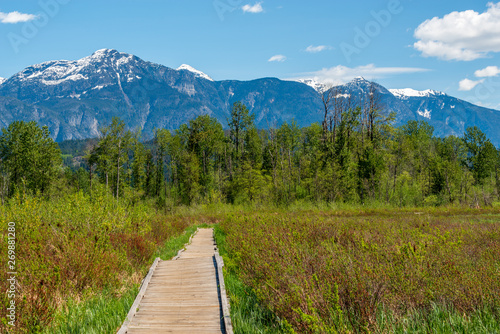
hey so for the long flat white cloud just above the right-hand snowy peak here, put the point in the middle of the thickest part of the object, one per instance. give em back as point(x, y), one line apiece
point(341, 74)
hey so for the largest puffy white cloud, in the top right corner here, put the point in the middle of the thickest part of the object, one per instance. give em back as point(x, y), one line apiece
point(466, 35)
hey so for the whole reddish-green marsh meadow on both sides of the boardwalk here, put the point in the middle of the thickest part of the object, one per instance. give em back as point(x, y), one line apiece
point(300, 269)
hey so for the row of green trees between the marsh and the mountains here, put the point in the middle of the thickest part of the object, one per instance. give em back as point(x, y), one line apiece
point(355, 155)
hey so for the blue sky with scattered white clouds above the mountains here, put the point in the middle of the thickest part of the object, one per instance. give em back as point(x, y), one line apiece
point(451, 46)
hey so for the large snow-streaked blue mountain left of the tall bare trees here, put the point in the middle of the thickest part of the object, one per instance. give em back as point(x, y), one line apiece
point(75, 98)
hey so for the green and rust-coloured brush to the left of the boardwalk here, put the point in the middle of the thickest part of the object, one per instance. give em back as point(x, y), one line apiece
point(76, 247)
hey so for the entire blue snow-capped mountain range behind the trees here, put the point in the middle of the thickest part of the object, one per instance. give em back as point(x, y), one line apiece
point(75, 98)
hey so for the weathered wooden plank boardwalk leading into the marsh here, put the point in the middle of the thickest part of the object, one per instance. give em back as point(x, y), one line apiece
point(182, 295)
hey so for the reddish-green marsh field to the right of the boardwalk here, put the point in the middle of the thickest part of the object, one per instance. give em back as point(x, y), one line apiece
point(374, 270)
